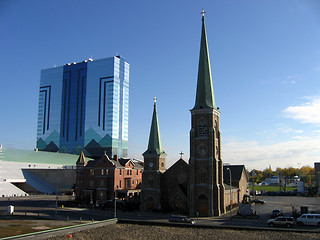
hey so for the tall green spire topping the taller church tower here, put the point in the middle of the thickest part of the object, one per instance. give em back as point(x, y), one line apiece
point(205, 95)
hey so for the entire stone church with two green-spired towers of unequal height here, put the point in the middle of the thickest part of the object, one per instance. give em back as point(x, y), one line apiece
point(196, 188)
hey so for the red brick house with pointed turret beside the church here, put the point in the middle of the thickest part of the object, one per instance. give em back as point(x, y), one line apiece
point(100, 180)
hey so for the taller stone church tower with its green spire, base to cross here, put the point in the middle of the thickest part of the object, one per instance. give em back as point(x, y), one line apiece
point(206, 189)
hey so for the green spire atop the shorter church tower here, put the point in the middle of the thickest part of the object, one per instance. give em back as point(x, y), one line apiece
point(154, 146)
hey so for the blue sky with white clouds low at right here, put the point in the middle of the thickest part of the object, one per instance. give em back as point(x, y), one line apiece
point(265, 61)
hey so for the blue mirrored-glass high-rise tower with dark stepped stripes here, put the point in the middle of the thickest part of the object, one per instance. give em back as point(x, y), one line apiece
point(84, 107)
